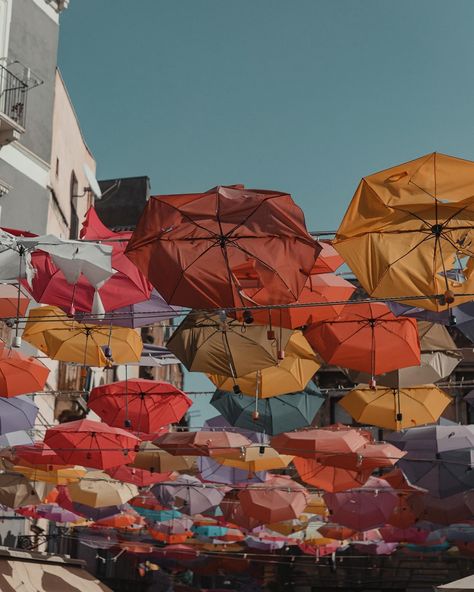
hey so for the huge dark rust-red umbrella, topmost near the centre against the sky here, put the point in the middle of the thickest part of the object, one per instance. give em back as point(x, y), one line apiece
point(203, 241)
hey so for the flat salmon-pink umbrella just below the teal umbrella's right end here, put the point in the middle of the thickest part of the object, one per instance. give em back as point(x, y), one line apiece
point(315, 443)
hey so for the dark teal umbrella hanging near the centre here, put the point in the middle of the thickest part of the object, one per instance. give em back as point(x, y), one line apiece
point(273, 415)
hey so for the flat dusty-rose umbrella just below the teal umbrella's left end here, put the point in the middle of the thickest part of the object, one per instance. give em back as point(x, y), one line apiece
point(203, 443)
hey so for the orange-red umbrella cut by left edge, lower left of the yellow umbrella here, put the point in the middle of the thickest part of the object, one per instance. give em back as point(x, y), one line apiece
point(20, 374)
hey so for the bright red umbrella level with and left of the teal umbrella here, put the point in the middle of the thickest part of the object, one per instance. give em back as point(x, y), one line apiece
point(138, 404)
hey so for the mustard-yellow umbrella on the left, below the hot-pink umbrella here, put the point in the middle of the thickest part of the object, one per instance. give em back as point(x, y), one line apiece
point(70, 341)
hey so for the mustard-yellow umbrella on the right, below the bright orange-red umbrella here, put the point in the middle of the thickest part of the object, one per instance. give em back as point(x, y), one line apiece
point(396, 409)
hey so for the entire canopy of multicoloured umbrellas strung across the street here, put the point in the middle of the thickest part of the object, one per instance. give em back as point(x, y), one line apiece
point(246, 295)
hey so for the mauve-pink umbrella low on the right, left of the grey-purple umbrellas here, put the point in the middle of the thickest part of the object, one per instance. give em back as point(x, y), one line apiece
point(364, 508)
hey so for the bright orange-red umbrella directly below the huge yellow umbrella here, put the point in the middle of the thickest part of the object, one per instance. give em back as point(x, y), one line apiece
point(368, 338)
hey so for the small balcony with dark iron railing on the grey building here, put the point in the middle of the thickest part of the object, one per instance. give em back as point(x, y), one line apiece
point(13, 93)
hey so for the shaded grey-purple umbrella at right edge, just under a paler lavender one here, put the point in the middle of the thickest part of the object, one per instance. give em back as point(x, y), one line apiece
point(443, 474)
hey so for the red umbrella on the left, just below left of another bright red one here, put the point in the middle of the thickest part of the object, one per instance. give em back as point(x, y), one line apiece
point(92, 444)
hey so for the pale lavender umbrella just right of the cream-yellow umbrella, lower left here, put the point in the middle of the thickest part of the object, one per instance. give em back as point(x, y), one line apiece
point(189, 495)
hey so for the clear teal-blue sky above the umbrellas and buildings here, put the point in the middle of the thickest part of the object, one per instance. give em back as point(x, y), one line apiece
point(305, 96)
